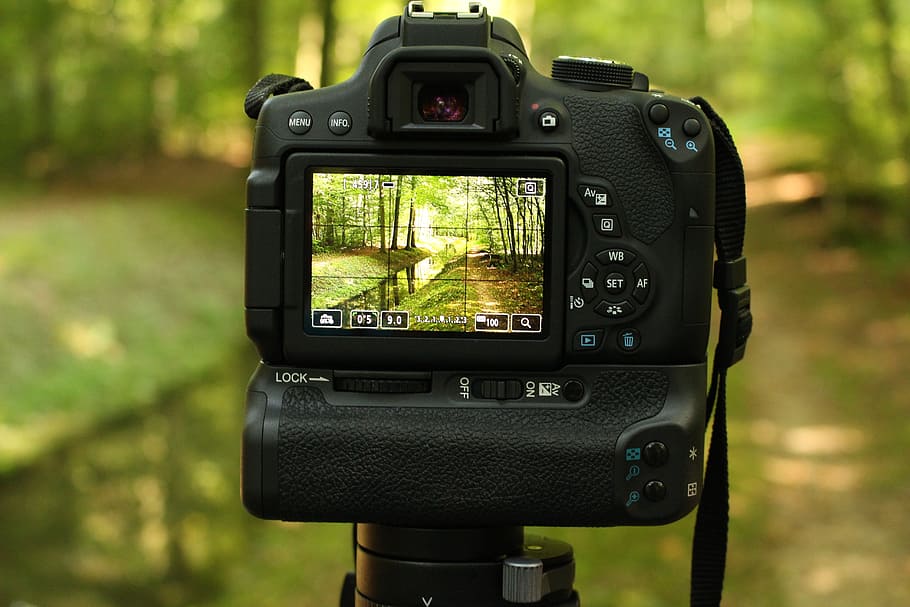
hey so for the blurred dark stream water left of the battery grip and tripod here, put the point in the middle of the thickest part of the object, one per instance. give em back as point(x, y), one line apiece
point(146, 511)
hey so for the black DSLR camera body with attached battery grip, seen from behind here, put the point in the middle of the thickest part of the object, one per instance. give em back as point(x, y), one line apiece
point(481, 295)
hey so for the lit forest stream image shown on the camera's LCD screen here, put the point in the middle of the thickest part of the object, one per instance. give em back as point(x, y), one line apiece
point(428, 253)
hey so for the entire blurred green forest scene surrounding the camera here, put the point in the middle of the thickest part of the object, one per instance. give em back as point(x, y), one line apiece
point(122, 354)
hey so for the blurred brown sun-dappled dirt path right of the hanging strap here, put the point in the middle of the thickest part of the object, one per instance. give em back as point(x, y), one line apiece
point(827, 395)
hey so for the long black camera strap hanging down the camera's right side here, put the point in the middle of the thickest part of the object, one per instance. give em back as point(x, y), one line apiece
point(709, 546)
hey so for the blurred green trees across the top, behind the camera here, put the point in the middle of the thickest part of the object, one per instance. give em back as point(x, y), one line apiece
point(90, 80)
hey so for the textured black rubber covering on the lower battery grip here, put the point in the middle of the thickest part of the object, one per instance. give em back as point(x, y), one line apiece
point(439, 467)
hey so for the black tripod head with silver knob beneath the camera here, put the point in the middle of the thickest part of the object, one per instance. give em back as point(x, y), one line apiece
point(476, 567)
